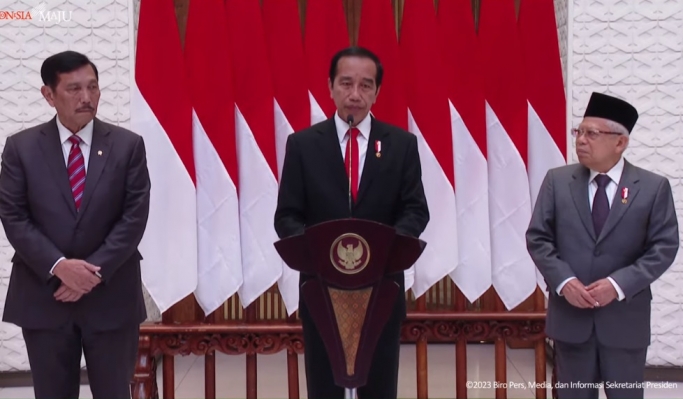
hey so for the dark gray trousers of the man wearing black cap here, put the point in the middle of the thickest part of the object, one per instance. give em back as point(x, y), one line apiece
point(619, 371)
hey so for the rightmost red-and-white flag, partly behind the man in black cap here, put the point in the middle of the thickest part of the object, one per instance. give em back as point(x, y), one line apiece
point(545, 94)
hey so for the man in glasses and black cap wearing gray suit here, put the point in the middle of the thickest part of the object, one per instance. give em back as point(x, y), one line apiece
point(602, 231)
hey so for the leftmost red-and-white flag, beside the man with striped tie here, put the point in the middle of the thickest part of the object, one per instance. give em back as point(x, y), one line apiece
point(162, 113)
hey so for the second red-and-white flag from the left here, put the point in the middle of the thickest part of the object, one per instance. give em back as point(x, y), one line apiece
point(213, 131)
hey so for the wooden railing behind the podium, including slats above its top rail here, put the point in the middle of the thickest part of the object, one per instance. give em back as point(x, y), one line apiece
point(442, 315)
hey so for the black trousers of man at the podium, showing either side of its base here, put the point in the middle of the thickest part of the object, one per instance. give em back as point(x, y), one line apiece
point(383, 377)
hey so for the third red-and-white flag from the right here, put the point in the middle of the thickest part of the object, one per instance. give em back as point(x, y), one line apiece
point(468, 123)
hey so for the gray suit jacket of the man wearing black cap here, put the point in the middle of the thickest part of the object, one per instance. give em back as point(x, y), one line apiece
point(637, 245)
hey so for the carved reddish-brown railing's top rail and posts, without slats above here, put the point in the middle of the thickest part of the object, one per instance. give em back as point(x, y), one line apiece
point(263, 338)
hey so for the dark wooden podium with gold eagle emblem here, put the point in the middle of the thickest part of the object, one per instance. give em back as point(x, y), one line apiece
point(351, 294)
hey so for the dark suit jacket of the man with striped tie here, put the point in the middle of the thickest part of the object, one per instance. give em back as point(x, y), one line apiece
point(41, 223)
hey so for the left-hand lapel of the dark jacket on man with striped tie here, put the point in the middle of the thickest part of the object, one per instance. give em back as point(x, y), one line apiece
point(51, 146)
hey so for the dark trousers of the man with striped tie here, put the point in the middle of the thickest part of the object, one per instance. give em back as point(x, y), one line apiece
point(55, 360)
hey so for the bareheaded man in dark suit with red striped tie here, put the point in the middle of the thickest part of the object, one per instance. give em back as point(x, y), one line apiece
point(74, 200)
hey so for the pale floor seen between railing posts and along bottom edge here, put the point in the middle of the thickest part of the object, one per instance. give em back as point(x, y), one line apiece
point(272, 382)
